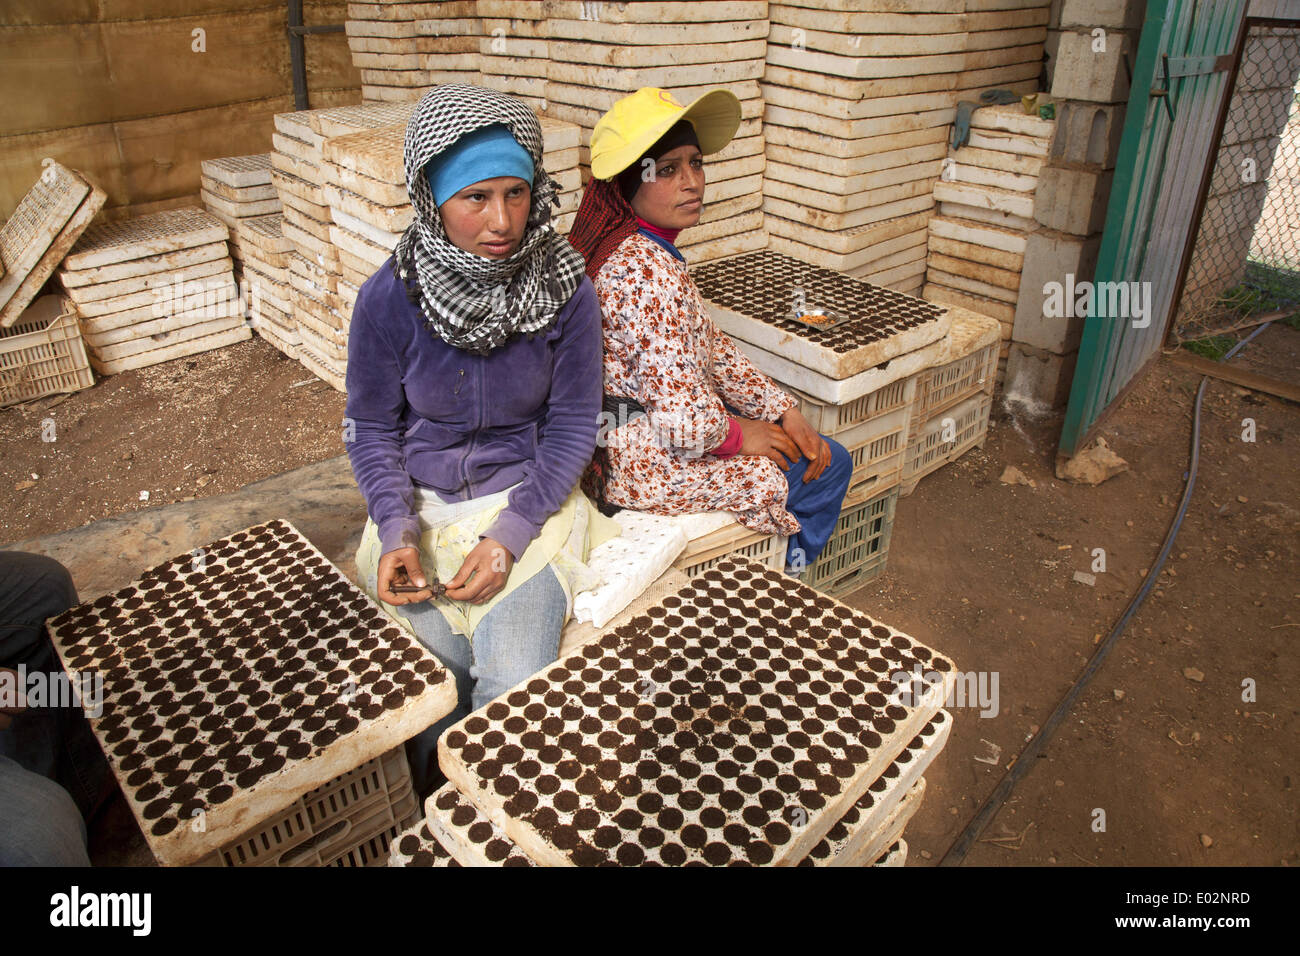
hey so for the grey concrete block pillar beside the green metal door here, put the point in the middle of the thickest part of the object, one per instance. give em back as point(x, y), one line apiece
point(1089, 42)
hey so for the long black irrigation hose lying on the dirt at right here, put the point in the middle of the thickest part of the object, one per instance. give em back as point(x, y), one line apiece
point(1034, 750)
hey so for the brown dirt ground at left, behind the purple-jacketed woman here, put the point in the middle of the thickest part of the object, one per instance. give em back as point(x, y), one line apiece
point(189, 429)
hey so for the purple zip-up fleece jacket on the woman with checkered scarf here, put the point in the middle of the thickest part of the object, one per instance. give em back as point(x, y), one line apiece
point(467, 426)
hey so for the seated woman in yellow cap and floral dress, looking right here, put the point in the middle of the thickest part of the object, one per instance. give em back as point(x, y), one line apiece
point(692, 426)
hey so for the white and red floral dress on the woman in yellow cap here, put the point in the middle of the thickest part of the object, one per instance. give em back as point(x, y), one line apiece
point(664, 351)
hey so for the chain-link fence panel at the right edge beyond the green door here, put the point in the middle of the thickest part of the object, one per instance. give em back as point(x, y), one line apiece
point(1247, 257)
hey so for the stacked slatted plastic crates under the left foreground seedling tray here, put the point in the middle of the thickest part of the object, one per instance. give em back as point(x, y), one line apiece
point(315, 829)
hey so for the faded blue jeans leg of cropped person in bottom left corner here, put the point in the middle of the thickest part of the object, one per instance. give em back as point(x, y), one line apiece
point(40, 824)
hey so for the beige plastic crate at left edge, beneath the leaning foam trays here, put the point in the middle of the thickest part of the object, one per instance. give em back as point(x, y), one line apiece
point(44, 354)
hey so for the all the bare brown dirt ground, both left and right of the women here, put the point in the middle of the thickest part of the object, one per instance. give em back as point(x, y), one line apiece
point(1163, 751)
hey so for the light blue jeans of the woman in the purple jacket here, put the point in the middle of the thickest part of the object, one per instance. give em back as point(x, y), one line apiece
point(515, 641)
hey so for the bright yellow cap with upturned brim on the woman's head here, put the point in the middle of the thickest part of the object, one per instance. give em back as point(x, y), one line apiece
point(636, 123)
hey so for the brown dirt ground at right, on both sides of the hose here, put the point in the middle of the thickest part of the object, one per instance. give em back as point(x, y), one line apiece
point(1164, 741)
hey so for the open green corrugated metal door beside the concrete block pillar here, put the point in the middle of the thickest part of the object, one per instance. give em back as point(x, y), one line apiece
point(1168, 142)
